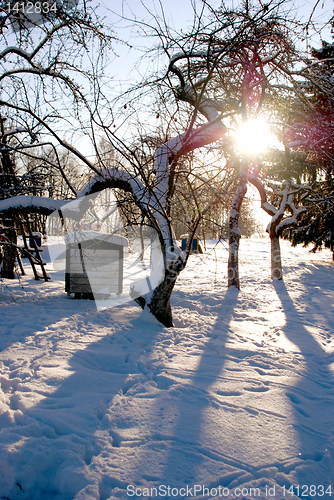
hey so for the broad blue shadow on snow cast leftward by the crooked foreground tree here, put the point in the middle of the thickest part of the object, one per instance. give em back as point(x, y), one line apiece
point(48, 447)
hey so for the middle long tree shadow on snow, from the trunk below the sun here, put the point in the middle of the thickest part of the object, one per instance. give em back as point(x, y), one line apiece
point(190, 448)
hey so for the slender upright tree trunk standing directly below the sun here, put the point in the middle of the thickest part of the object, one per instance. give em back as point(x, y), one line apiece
point(234, 233)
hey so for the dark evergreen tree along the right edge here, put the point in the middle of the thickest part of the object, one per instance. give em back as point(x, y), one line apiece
point(314, 141)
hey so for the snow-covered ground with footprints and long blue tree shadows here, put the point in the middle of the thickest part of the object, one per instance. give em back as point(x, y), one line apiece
point(112, 405)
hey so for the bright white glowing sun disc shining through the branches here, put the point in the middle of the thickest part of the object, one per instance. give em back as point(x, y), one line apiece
point(254, 136)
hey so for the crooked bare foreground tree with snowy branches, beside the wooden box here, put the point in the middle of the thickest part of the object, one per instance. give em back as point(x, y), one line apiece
point(151, 199)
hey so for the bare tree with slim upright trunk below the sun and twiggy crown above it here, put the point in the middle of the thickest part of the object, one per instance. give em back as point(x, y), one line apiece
point(227, 67)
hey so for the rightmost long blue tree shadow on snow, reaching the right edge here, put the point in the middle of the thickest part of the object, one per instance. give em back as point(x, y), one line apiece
point(311, 398)
